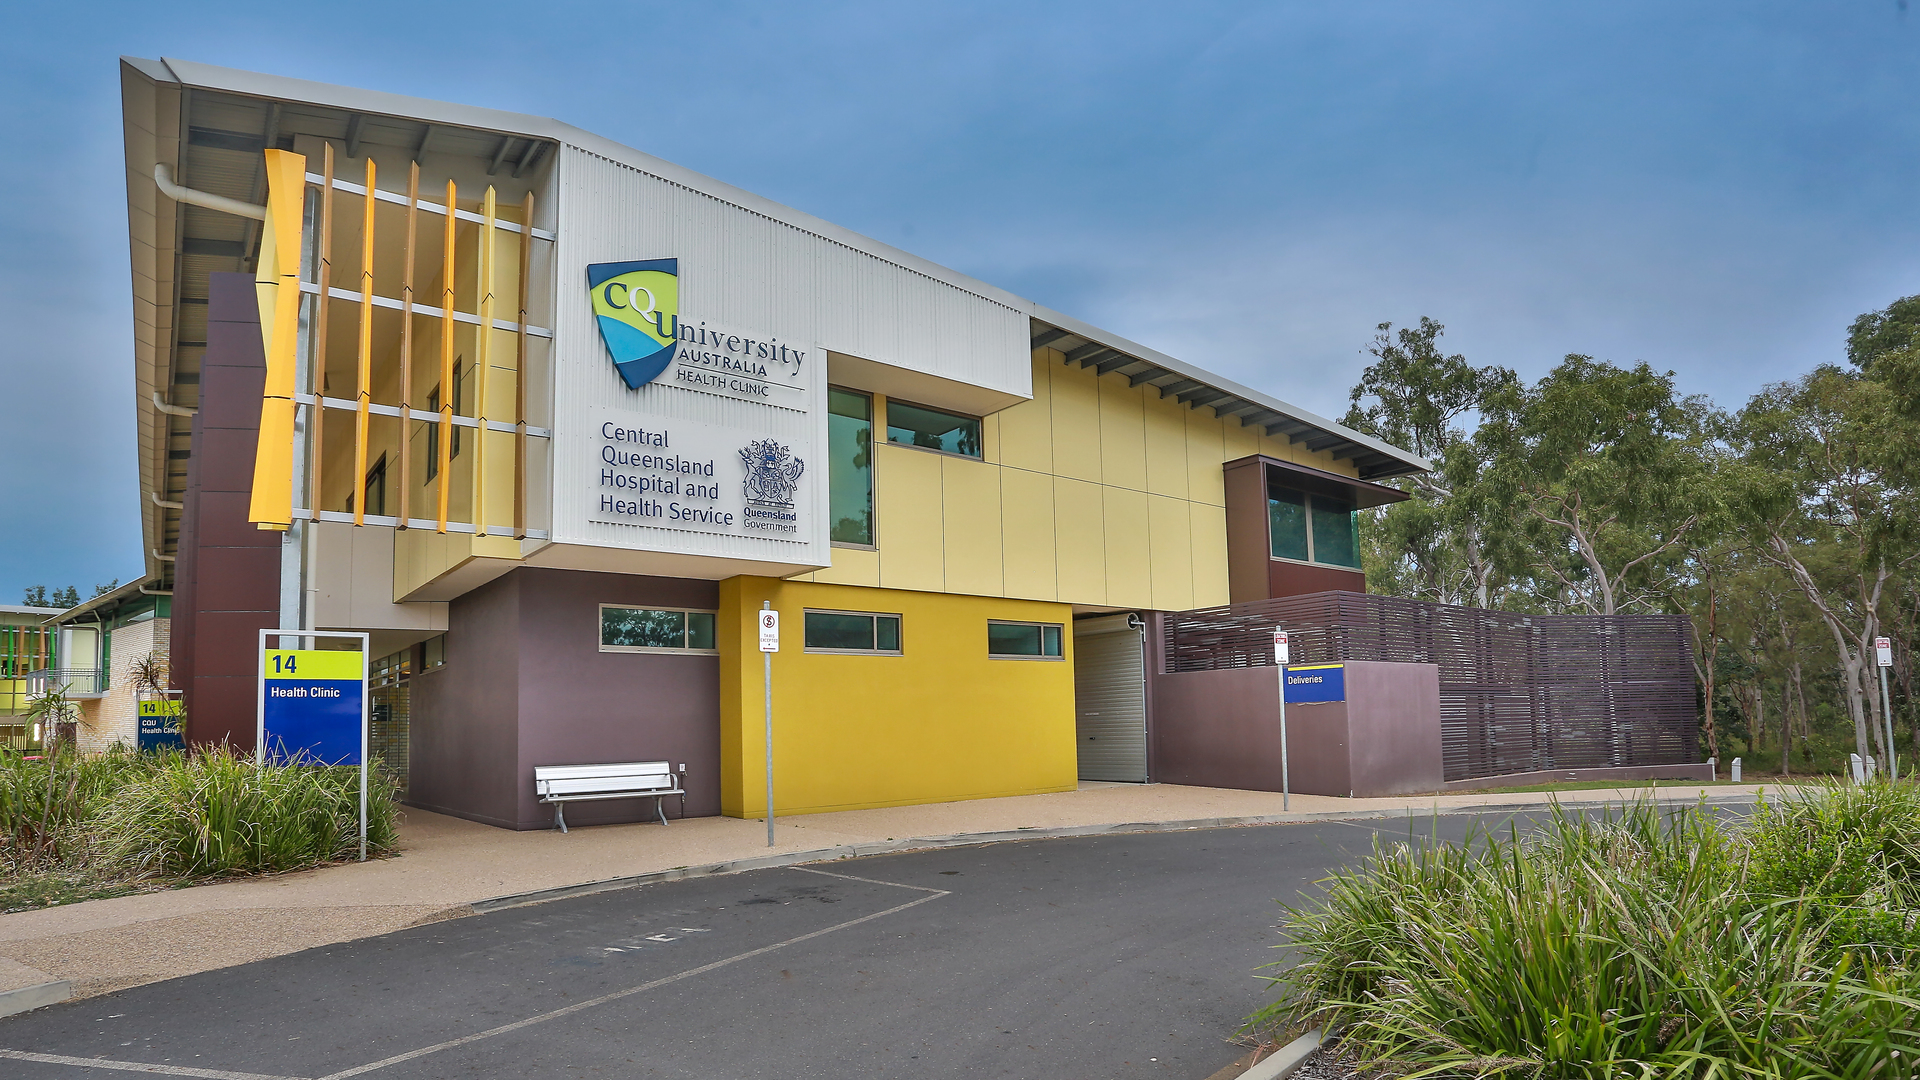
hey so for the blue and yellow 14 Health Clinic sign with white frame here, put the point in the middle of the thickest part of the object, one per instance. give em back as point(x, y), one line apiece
point(314, 708)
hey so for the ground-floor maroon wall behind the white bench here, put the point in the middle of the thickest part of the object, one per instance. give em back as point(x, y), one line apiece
point(527, 685)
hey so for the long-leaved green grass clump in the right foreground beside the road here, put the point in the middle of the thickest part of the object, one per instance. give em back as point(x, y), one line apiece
point(1643, 945)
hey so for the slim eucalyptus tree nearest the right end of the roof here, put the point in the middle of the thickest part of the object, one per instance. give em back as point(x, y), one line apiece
point(1443, 541)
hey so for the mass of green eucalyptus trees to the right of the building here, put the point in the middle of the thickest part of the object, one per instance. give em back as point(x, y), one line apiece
point(1788, 529)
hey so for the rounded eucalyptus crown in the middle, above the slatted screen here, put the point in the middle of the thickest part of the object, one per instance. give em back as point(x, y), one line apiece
point(1606, 472)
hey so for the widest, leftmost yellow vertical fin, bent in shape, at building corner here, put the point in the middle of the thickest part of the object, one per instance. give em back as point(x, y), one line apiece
point(277, 293)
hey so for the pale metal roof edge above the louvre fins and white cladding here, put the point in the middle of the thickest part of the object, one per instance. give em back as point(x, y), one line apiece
point(427, 110)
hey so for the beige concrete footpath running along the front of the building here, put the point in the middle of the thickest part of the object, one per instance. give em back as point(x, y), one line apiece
point(452, 868)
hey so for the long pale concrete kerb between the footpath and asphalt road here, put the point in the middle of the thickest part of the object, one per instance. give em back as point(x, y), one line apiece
point(1017, 835)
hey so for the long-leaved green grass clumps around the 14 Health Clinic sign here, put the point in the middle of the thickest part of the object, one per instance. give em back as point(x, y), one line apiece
point(130, 816)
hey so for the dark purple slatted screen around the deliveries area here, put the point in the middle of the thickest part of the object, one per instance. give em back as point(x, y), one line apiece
point(1518, 693)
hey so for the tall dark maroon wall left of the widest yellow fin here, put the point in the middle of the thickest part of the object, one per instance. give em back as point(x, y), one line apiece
point(228, 574)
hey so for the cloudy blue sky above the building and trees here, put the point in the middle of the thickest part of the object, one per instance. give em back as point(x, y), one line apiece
point(1716, 189)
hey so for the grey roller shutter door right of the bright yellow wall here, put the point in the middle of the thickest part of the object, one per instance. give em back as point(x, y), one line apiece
point(1111, 700)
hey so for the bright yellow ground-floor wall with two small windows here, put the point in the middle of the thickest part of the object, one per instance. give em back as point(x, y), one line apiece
point(936, 724)
